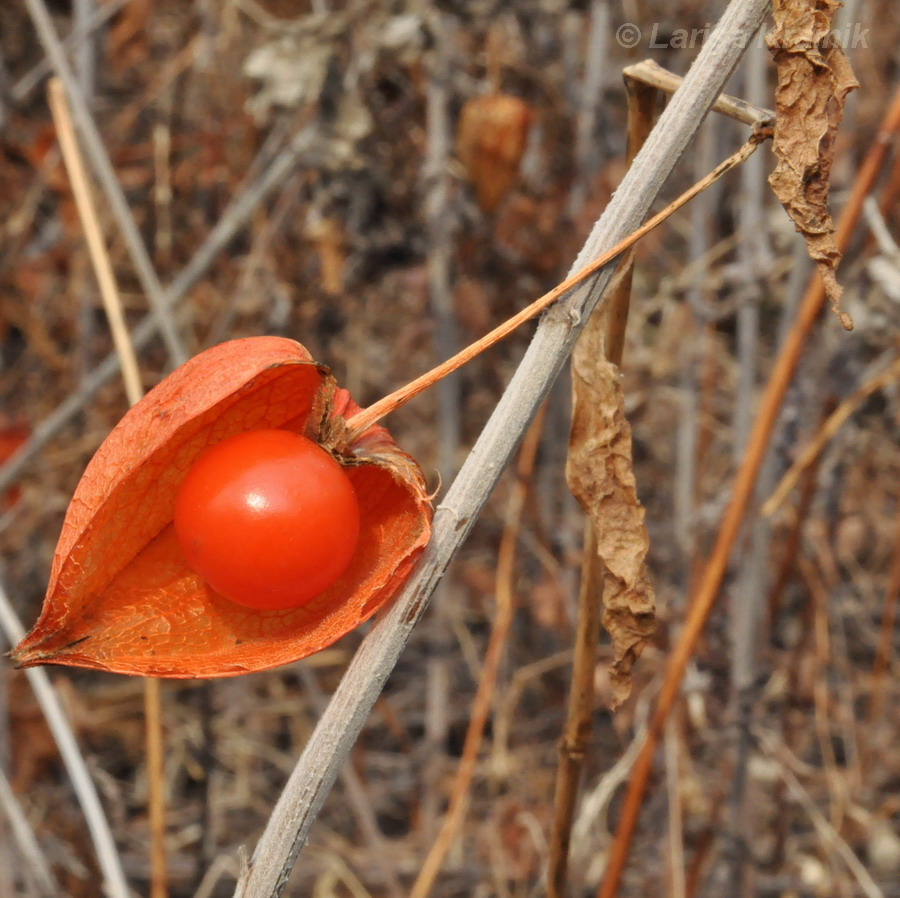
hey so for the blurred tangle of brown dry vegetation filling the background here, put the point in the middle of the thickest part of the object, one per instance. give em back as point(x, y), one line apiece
point(193, 102)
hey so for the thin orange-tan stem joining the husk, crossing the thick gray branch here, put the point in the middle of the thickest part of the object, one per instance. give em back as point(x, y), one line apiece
point(368, 416)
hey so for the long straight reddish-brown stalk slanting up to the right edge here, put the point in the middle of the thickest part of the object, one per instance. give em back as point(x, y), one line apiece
point(708, 589)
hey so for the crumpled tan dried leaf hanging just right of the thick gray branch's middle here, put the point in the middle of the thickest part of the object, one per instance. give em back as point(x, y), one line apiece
point(600, 475)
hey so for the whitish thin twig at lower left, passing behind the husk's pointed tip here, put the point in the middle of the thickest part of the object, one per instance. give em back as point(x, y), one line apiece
point(98, 826)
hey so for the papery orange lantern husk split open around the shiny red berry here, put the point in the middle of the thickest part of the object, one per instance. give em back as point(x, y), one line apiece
point(121, 597)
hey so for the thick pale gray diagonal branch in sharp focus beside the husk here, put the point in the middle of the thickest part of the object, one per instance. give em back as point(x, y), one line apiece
point(339, 726)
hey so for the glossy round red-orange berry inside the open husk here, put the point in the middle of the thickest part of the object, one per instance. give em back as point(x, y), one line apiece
point(267, 518)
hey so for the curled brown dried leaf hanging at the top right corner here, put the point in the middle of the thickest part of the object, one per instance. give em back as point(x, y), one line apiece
point(814, 78)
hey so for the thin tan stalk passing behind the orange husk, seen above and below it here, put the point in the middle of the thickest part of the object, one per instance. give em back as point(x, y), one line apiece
point(87, 213)
